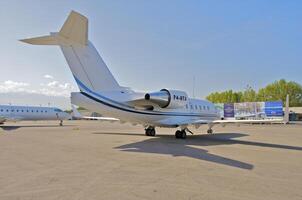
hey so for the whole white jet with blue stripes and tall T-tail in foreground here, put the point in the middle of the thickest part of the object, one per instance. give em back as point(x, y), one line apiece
point(101, 93)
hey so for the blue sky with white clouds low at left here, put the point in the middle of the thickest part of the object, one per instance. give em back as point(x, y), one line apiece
point(150, 45)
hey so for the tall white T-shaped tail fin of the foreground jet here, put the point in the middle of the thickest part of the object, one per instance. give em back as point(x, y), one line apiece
point(88, 68)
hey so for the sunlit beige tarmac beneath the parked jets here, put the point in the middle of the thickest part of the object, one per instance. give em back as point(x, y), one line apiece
point(102, 160)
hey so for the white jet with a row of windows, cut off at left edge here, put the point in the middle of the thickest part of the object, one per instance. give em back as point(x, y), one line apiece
point(31, 113)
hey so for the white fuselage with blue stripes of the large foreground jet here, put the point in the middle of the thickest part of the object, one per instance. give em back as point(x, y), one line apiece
point(114, 104)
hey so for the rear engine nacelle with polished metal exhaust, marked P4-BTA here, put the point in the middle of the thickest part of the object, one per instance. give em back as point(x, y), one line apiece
point(168, 98)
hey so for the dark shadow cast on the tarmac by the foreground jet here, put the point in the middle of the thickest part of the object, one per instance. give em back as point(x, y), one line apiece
point(166, 144)
